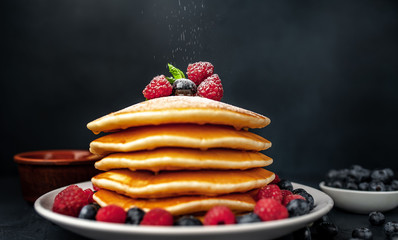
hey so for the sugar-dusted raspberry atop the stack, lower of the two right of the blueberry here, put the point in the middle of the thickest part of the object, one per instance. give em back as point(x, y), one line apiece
point(211, 88)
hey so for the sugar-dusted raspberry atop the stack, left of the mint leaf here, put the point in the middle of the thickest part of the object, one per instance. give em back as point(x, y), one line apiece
point(158, 87)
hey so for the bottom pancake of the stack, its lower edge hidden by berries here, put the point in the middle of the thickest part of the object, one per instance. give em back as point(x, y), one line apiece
point(238, 202)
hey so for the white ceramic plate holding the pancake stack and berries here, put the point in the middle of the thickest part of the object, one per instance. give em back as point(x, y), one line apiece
point(262, 230)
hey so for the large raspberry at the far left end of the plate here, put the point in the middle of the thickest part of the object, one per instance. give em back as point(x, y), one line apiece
point(69, 201)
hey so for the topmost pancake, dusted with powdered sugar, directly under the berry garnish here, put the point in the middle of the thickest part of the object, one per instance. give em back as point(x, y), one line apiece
point(178, 109)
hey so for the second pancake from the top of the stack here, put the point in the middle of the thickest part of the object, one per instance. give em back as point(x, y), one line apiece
point(178, 135)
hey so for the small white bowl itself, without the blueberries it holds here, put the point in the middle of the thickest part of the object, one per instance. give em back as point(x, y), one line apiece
point(362, 202)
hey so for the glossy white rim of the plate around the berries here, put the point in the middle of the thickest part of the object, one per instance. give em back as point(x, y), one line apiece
point(74, 222)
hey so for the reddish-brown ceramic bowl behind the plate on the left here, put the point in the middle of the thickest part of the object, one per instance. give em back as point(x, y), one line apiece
point(43, 171)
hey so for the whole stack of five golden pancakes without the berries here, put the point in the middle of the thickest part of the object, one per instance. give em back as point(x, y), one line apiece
point(181, 153)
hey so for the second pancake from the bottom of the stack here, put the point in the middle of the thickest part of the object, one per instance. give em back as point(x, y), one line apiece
point(145, 184)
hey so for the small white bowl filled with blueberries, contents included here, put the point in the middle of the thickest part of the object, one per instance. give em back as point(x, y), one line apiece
point(361, 190)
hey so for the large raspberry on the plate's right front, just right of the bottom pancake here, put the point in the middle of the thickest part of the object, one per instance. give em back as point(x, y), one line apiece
point(270, 209)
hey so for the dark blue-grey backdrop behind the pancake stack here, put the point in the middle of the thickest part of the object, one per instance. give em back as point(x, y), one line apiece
point(325, 72)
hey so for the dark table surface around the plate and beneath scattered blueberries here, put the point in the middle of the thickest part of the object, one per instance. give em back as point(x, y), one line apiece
point(18, 219)
